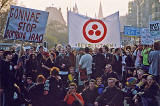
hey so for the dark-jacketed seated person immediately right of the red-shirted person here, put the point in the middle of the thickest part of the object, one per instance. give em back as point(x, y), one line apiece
point(89, 95)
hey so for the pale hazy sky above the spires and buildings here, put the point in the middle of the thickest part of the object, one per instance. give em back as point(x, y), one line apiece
point(89, 7)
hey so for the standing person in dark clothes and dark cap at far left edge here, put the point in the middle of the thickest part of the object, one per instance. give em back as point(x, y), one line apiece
point(7, 78)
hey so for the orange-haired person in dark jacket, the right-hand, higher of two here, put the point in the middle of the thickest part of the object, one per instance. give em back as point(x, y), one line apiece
point(53, 89)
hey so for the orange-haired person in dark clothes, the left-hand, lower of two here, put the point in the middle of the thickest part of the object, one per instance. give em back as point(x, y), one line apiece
point(36, 92)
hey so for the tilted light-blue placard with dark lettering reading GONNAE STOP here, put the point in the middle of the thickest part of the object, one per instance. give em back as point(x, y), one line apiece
point(26, 24)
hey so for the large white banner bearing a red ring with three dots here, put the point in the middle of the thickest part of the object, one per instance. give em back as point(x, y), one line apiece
point(86, 31)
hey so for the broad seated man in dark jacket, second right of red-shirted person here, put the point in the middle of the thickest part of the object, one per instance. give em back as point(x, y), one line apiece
point(111, 96)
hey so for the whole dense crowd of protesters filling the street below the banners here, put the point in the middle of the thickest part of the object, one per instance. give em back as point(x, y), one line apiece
point(65, 76)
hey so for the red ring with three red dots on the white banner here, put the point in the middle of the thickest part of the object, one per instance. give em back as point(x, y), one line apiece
point(94, 31)
